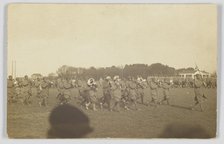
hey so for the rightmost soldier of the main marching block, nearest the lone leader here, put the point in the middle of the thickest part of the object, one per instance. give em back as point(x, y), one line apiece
point(166, 89)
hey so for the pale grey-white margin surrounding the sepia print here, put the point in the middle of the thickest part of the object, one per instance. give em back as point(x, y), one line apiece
point(3, 67)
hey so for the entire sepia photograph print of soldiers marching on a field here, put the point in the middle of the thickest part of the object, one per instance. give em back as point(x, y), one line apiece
point(86, 71)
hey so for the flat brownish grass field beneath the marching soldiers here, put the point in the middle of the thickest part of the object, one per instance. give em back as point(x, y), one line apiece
point(148, 122)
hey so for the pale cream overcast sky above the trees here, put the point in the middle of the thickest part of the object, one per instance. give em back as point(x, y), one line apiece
point(43, 37)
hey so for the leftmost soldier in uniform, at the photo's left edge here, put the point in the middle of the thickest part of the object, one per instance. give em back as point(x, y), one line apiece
point(10, 89)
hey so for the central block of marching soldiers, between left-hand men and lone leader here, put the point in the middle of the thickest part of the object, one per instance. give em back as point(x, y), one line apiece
point(115, 92)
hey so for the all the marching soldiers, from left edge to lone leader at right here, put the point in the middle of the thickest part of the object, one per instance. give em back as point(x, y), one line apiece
point(116, 93)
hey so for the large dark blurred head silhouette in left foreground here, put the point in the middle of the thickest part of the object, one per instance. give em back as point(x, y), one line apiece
point(67, 121)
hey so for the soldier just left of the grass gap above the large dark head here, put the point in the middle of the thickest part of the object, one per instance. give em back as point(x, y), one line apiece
point(44, 92)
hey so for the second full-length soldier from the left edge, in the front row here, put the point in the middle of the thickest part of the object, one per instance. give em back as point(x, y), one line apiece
point(26, 90)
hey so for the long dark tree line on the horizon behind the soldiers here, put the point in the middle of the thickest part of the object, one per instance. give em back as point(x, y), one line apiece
point(132, 70)
